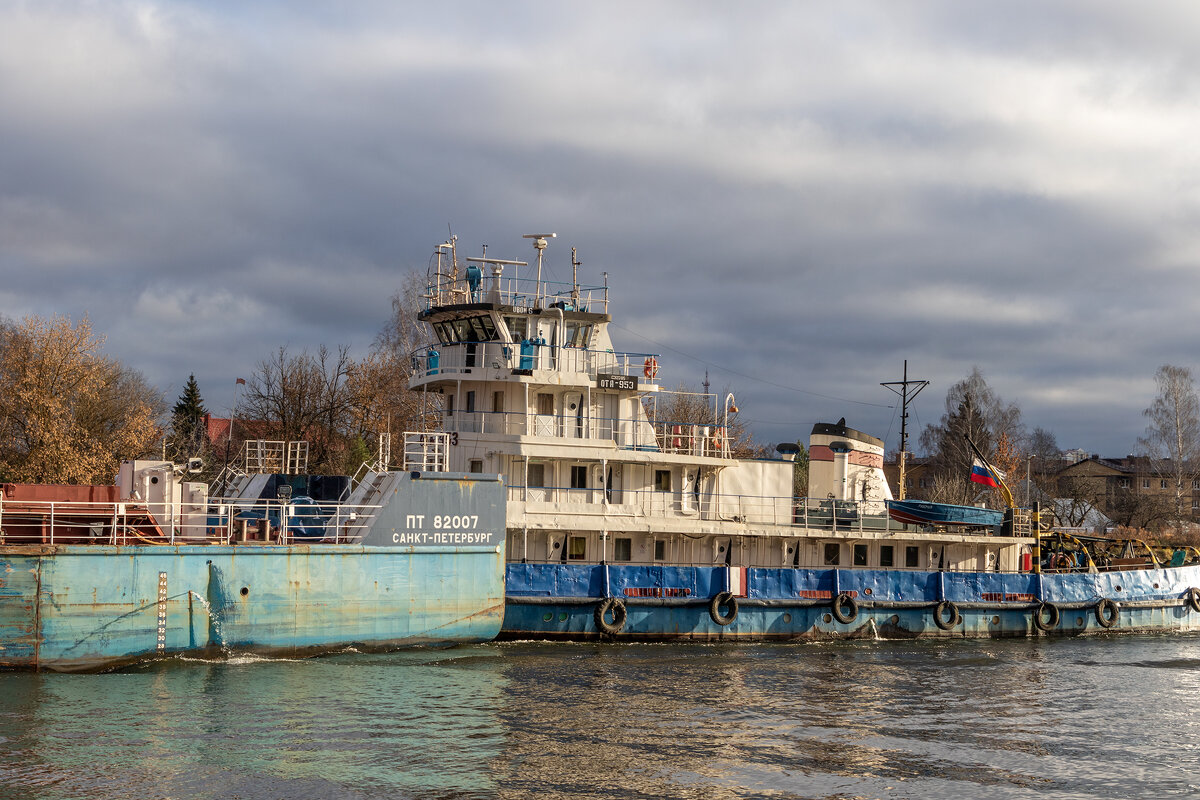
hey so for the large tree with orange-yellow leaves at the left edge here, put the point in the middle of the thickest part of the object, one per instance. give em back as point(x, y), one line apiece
point(68, 413)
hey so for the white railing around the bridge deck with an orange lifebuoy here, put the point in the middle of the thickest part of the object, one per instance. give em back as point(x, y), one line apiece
point(466, 358)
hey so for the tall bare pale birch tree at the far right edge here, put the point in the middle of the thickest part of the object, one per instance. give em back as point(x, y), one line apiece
point(1173, 437)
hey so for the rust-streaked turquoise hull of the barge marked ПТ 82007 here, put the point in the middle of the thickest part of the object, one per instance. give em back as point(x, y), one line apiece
point(92, 607)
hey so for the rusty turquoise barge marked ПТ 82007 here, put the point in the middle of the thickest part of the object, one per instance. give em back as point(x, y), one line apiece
point(94, 578)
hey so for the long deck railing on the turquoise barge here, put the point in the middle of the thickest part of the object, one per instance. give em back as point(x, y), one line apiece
point(215, 522)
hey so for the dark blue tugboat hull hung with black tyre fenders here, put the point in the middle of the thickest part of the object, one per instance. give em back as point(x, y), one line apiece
point(667, 604)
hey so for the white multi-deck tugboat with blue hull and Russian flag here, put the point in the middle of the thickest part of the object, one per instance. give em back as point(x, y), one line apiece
point(627, 526)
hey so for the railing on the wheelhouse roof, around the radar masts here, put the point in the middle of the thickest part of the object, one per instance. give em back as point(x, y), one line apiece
point(521, 294)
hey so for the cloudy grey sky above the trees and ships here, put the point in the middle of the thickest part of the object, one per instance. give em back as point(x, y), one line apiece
point(796, 199)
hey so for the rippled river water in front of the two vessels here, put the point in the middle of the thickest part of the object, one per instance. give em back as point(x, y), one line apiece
point(1101, 718)
